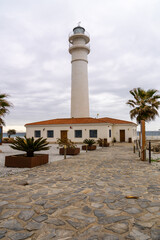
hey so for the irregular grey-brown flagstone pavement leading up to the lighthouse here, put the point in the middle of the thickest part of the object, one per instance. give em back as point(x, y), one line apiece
point(83, 197)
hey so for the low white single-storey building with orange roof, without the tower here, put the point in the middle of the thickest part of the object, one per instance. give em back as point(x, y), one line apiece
point(78, 129)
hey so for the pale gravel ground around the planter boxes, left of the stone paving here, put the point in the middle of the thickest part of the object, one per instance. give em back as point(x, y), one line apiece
point(7, 150)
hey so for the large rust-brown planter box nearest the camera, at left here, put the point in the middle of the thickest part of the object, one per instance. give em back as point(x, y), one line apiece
point(21, 161)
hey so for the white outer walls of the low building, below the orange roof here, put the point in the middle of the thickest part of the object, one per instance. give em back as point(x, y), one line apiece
point(102, 131)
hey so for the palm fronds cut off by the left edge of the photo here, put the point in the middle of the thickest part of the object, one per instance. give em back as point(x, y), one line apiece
point(4, 107)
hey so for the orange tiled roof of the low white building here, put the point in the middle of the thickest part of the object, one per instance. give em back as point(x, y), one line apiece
point(80, 121)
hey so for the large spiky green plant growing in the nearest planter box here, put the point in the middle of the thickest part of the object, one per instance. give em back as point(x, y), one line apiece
point(30, 145)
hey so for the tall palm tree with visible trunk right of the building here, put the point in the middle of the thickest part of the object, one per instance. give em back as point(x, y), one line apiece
point(145, 106)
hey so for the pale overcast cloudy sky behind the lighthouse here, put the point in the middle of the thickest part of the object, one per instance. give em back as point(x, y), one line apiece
point(35, 68)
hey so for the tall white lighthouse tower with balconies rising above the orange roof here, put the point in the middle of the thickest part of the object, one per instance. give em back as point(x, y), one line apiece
point(79, 49)
